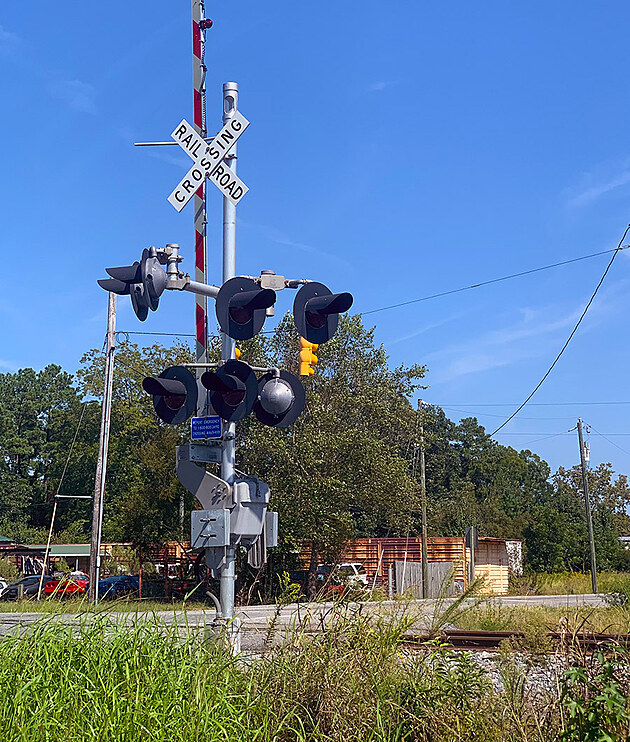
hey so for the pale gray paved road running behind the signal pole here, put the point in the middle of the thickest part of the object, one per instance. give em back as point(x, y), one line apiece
point(255, 620)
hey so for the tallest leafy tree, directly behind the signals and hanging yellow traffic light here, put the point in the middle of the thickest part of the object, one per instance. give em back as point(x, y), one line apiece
point(340, 471)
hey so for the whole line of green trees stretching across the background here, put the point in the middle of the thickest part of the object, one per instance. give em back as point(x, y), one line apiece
point(345, 469)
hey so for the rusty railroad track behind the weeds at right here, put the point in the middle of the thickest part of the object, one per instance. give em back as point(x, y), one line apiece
point(483, 641)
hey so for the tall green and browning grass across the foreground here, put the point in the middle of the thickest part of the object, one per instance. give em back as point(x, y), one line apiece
point(100, 681)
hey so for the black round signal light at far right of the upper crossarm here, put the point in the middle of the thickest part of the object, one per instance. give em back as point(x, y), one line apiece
point(316, 311)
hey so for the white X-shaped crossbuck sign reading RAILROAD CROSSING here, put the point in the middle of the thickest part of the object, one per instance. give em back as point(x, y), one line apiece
point(208, 159)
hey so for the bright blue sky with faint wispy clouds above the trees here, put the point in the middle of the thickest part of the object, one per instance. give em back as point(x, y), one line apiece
point(395, 150)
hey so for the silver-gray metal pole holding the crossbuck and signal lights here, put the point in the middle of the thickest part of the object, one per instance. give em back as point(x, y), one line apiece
point(228, 571)
